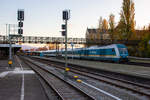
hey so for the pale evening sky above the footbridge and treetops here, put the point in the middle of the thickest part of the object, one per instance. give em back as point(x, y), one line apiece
point(44, 17)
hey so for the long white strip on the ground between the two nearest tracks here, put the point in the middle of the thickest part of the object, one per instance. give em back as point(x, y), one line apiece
point(102, 91)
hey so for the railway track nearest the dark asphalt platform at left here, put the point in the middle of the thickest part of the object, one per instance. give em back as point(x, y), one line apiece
point(63, 89)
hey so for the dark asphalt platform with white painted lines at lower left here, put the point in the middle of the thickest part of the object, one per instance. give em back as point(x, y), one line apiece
point(19, 82)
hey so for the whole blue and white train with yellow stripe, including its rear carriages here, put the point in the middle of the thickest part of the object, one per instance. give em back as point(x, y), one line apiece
point(114, 52)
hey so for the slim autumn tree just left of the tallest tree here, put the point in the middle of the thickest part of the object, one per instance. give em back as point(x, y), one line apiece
point(112, 26)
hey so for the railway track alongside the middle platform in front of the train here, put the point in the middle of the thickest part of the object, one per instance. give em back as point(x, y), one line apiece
point(142, 89)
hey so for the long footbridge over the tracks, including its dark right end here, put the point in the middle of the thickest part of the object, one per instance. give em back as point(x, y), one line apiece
point(59, 40)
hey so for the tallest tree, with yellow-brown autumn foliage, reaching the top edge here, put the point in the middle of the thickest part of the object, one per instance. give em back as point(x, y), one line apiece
point(126, 26)
